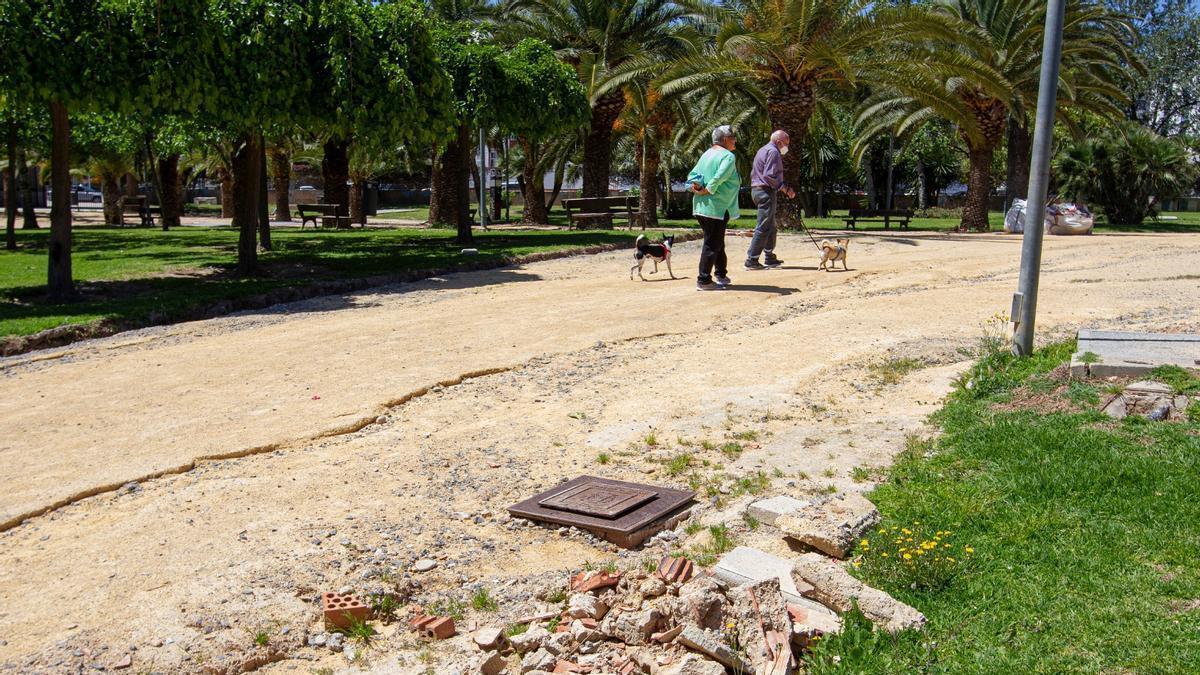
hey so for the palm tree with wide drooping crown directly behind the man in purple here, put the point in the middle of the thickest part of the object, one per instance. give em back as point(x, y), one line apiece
point(789, 55)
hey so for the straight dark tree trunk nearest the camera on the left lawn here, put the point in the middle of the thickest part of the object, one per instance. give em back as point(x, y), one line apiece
point(59, 282)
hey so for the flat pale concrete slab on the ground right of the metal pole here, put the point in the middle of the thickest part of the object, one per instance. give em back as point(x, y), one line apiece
point(1132, 355)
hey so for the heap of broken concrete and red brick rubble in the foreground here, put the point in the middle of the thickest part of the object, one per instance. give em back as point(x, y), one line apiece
point(752, 613)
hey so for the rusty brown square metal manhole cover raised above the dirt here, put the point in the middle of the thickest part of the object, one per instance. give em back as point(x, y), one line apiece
point(623, 513)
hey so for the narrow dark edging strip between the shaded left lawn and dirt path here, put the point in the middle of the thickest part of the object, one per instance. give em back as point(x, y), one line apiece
point(67, 334)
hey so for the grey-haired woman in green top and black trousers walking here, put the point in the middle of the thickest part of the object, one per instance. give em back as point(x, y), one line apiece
point(715, 186)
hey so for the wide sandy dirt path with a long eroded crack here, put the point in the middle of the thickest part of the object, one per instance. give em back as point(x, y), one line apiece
point(355, 476)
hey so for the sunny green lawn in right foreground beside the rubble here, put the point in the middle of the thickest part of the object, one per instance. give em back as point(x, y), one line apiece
point(1085, 536)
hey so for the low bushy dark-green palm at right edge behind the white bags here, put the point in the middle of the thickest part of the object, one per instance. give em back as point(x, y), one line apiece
point(1127, 171)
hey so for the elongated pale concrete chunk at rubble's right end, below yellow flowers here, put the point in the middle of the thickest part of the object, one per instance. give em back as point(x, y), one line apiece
point(836, 589)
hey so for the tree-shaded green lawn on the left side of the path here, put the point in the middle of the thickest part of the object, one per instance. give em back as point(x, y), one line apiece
point(137, 277)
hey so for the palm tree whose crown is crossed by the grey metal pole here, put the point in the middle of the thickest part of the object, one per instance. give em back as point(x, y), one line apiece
point(992, 70)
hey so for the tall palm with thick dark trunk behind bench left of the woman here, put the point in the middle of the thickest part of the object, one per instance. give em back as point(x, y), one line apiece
point(596, 37)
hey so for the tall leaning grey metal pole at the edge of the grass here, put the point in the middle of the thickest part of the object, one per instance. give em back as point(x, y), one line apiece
point(1025, 302)
